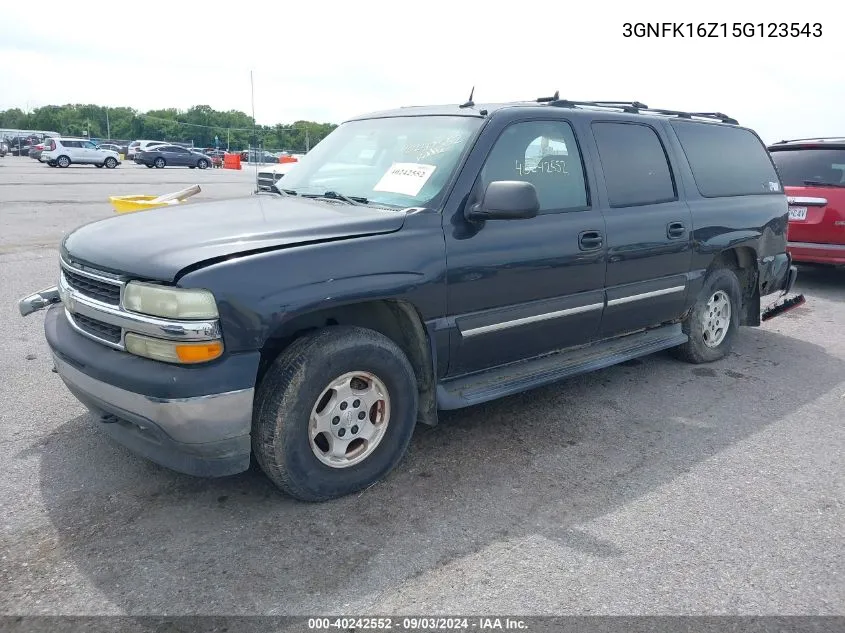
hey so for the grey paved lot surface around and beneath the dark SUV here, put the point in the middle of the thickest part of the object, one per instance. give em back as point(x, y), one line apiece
point(653, 487)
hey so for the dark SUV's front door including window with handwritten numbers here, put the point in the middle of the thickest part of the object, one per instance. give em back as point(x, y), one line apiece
point(520, 288)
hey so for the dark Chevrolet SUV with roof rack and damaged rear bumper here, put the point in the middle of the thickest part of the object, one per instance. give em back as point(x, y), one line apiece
point(420, 259)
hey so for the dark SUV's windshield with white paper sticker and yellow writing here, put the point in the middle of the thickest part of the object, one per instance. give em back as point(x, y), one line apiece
point(401, 161)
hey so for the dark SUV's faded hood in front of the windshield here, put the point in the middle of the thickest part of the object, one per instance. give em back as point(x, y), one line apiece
point(159, 243)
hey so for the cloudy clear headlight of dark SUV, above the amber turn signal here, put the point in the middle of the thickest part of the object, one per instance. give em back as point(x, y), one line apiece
point(169, 302)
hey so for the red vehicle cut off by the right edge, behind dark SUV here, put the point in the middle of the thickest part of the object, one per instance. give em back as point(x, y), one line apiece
point(813, 172)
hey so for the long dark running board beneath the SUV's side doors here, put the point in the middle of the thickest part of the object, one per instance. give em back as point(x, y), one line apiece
point(521, 376)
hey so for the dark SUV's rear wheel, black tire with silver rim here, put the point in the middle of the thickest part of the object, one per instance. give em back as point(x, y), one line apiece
point(721, 293)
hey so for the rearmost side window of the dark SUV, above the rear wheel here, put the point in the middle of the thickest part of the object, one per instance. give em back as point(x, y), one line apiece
point(727, 161)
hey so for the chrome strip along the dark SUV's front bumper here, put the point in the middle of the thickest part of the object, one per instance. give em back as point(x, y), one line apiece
point(202, 419)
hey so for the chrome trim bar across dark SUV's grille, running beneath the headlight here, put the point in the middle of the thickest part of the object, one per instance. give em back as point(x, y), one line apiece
point(76, 303)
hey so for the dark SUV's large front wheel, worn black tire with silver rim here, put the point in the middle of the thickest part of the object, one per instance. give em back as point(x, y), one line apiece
point(283, 441)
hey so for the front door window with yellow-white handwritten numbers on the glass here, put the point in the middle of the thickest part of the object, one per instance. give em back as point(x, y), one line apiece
point(545, 154)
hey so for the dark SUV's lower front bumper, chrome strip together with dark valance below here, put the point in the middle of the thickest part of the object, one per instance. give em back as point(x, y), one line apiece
point(206, 436)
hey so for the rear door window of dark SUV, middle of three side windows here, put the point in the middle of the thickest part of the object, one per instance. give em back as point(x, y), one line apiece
point(634, 162)
